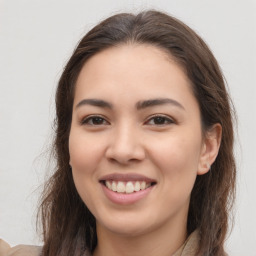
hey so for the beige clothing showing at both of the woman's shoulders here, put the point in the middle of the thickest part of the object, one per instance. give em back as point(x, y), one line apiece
point(189, 248)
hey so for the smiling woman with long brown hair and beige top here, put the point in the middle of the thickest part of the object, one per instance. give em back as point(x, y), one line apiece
point(144, 145)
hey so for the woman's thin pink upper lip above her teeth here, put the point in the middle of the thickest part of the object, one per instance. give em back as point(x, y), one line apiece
point(126, 177)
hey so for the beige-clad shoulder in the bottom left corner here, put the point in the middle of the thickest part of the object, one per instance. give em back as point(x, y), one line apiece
point(19, 250)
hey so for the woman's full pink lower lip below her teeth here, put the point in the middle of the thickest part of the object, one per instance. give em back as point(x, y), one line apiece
point(123, 198)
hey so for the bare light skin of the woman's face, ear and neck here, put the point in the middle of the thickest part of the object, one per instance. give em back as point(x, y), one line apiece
point(124, 139)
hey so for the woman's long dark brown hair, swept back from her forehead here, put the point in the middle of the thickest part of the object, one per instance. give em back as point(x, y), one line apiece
point(68, 226)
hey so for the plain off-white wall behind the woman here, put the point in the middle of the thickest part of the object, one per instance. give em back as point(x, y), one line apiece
point(36, 40)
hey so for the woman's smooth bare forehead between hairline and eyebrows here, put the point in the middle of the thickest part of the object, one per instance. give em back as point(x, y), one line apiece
point(138, 70)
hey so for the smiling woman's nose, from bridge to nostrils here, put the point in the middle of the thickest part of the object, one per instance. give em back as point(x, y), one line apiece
point(125, 145)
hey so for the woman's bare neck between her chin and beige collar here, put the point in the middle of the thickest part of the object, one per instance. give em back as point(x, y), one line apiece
point(165, 242)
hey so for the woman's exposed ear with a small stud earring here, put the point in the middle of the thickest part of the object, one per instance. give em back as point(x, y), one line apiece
point(210, 148)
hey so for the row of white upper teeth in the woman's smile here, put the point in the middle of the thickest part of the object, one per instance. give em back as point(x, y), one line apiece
point(127, 187)
